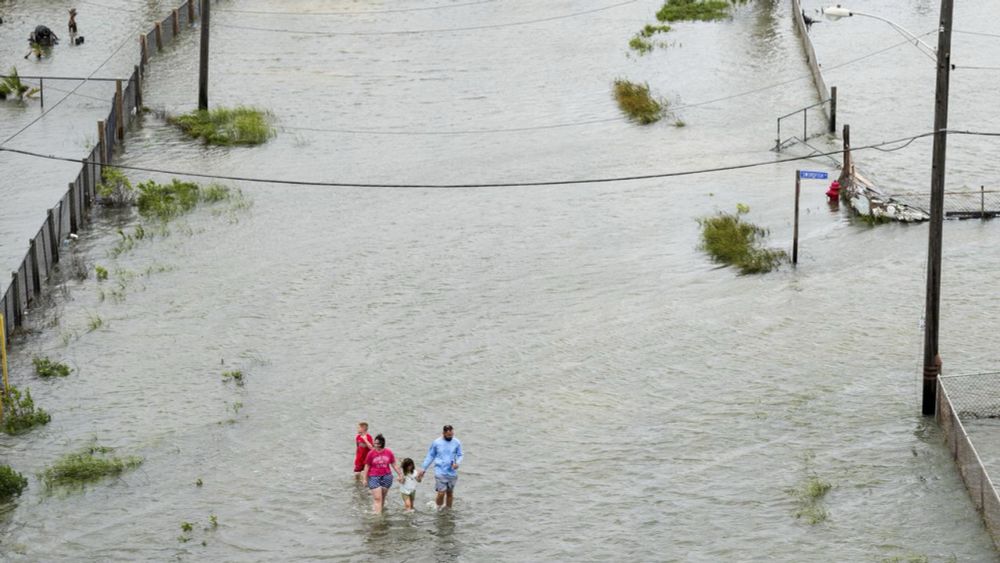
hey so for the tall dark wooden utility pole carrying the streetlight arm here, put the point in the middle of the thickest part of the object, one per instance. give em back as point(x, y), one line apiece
point(933, 305)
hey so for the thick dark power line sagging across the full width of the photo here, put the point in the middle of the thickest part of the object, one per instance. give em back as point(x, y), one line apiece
point(511, 184)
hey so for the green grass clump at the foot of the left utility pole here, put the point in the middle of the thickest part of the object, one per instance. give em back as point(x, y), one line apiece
point(226, 127)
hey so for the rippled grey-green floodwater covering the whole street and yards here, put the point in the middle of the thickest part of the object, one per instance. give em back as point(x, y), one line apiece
point(618, 395)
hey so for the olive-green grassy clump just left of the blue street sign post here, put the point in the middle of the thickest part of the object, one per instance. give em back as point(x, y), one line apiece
point(730, 240)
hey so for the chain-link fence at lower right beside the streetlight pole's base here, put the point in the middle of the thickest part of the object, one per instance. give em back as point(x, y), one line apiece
point(982, 489)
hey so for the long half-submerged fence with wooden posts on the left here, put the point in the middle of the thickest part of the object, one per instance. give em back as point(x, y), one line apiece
point(29, 281)
